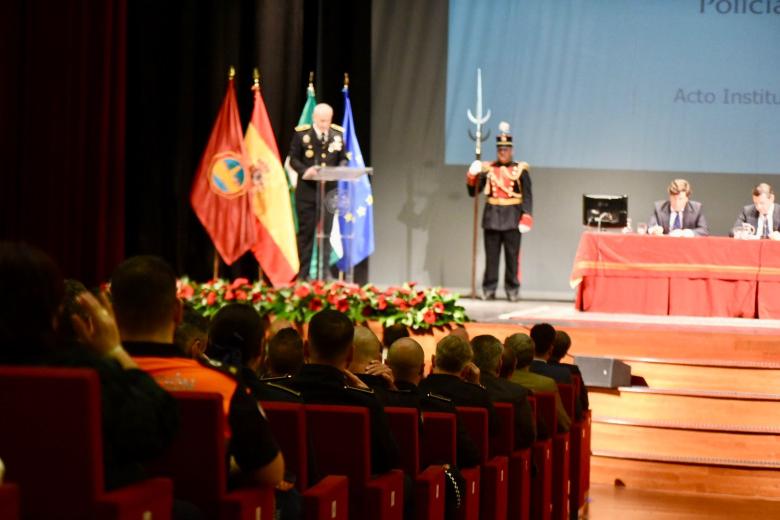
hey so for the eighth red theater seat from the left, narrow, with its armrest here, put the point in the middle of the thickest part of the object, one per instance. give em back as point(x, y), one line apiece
point(519, 490)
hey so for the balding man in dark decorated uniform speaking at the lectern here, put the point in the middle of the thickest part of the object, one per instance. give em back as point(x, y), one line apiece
point(313, 146)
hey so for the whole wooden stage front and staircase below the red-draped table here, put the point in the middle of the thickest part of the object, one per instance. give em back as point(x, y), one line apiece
point(708, 420)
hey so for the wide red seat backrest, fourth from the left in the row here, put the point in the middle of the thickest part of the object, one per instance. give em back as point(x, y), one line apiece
point(342, 444)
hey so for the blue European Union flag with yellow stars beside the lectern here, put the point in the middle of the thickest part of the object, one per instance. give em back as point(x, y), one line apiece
point(356, 213)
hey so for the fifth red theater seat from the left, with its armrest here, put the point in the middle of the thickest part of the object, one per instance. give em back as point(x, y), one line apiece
point(429, 489)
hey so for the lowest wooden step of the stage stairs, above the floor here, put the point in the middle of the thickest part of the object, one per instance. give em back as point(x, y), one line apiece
point(685, 478)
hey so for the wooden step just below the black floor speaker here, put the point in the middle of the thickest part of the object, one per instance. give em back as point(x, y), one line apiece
point(687, 412)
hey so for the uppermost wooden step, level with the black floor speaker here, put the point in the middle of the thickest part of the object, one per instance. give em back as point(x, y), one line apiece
point(659, 374)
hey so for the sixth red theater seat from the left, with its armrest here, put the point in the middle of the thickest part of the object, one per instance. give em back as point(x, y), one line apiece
point(439, 447)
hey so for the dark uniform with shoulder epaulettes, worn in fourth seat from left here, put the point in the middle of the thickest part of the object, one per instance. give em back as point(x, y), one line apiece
point(323, 384)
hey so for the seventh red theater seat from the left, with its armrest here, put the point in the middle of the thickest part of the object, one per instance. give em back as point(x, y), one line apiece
point(495, 471)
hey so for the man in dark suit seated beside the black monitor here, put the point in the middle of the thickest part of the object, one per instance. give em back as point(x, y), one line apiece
point(678, 216)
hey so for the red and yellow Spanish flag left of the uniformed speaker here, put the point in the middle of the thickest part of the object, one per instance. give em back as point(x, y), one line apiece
point(275, 247)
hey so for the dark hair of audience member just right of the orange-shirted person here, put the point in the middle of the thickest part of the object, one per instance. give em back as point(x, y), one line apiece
point(236, 335)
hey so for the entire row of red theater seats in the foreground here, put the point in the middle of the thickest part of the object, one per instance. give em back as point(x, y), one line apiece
point(51, 445)
